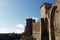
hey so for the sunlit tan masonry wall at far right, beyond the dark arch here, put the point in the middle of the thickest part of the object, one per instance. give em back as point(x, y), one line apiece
point(57, 20)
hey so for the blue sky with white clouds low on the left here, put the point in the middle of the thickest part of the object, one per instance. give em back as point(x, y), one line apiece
point(13, 14)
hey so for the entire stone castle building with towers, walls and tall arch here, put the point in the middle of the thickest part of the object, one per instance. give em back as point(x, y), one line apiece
point(48, 26)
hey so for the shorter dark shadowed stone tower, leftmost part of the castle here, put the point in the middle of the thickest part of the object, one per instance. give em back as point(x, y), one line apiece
point(29, 25)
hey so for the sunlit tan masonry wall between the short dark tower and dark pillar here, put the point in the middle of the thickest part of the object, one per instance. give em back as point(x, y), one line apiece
point(37, 31)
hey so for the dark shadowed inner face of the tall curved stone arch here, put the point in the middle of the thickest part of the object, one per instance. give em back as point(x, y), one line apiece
point(51, 22)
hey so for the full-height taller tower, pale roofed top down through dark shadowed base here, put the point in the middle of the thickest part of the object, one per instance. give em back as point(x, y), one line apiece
point(44, 21)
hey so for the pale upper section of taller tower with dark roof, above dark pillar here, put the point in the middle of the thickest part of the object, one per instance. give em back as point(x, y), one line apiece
point(44, 9)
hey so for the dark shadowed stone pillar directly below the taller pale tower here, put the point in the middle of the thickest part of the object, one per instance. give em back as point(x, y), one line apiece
point(44, 31)
